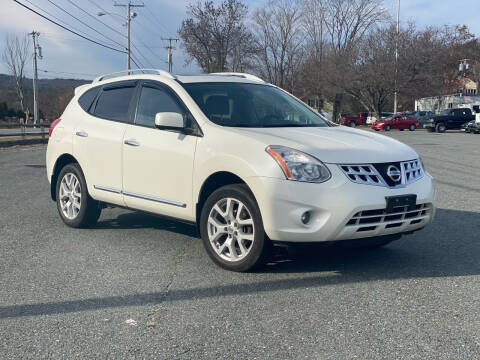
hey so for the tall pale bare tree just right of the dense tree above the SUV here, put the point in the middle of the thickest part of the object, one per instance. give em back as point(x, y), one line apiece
point(279, 41)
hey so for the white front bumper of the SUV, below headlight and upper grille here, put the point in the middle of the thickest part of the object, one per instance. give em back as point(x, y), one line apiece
point(336, 208)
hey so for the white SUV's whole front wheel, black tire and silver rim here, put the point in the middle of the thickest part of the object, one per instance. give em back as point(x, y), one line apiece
point(231, 228)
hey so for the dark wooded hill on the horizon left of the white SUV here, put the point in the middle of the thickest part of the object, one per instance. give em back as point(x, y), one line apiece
point(54, 94)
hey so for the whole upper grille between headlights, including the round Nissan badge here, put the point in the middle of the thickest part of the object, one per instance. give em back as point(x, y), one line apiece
point(382, 174)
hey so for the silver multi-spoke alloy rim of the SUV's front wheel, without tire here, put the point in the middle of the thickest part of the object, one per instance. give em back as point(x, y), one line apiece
point(231, 230)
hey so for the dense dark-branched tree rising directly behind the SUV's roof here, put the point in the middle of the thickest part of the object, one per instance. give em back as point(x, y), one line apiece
point(216, 37)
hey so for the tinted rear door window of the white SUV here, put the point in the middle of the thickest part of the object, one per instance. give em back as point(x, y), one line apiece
point(113, 103)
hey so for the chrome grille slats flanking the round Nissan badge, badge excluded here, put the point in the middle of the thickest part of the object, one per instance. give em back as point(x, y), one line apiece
point(367, 174)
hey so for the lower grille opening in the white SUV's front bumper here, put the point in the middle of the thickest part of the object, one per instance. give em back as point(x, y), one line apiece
point(370, 220)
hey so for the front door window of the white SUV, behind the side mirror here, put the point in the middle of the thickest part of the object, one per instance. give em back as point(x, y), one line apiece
point(152, 101)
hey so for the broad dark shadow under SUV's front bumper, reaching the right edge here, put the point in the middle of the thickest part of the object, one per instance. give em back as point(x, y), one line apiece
point(448, 247)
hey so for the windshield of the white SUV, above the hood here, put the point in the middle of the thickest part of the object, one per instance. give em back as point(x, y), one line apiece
point(251, 105)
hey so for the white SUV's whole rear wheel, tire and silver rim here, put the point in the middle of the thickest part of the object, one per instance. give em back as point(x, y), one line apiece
point(75, 206)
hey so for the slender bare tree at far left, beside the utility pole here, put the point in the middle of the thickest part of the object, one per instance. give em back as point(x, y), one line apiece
point(15, 55)
